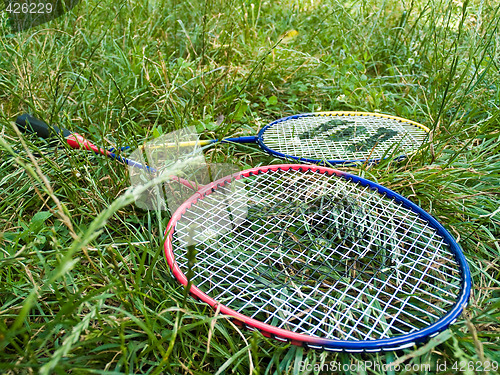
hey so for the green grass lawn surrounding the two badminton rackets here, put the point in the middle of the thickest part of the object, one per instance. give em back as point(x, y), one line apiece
point(84, 286)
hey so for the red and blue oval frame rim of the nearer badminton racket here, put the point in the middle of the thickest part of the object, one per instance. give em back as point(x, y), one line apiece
point(390, 344)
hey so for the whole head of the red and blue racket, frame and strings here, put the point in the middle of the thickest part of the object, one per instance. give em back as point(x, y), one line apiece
point(444, 276)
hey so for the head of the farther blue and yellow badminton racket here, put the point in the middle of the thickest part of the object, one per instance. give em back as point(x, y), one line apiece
point(328, 138)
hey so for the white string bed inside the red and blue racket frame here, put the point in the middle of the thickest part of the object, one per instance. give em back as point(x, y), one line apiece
point(319, 254)
